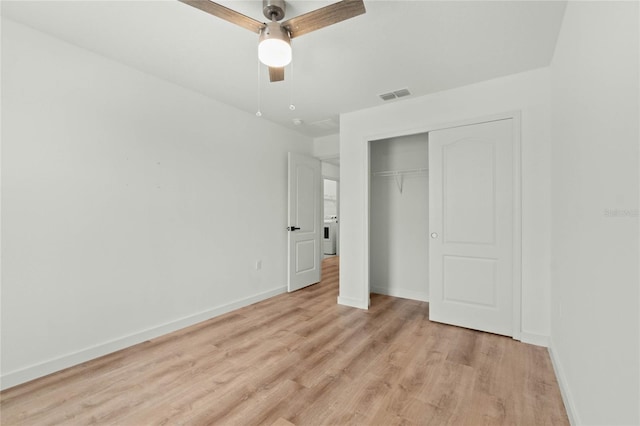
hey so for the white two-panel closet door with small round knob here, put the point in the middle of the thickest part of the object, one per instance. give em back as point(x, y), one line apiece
point(471, 226)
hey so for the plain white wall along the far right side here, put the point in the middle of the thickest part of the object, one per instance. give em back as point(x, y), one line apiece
point(595, 182)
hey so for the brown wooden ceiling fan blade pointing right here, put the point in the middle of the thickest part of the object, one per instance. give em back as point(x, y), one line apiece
point(324, 17)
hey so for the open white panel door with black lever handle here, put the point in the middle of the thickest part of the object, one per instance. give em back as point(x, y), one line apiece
point(305, 221)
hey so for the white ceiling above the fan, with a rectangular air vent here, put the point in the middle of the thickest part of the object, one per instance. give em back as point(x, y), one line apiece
point(425, 46)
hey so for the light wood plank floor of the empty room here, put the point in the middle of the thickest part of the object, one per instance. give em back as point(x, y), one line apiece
point(302, 359)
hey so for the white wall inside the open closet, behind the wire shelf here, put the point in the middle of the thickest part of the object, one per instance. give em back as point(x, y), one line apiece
point(399, 246)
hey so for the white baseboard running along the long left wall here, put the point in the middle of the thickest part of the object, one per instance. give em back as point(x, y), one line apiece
point(32, 372)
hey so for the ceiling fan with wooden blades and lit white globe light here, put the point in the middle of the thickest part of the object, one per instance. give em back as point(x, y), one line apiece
point(274, 46)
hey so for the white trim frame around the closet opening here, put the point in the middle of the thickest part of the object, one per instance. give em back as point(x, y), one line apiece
point(516, 203)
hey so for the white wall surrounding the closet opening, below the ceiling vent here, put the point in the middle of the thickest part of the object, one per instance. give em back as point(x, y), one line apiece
point(527, 92)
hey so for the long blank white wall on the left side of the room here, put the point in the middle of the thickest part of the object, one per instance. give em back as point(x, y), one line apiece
point(131, 206)
